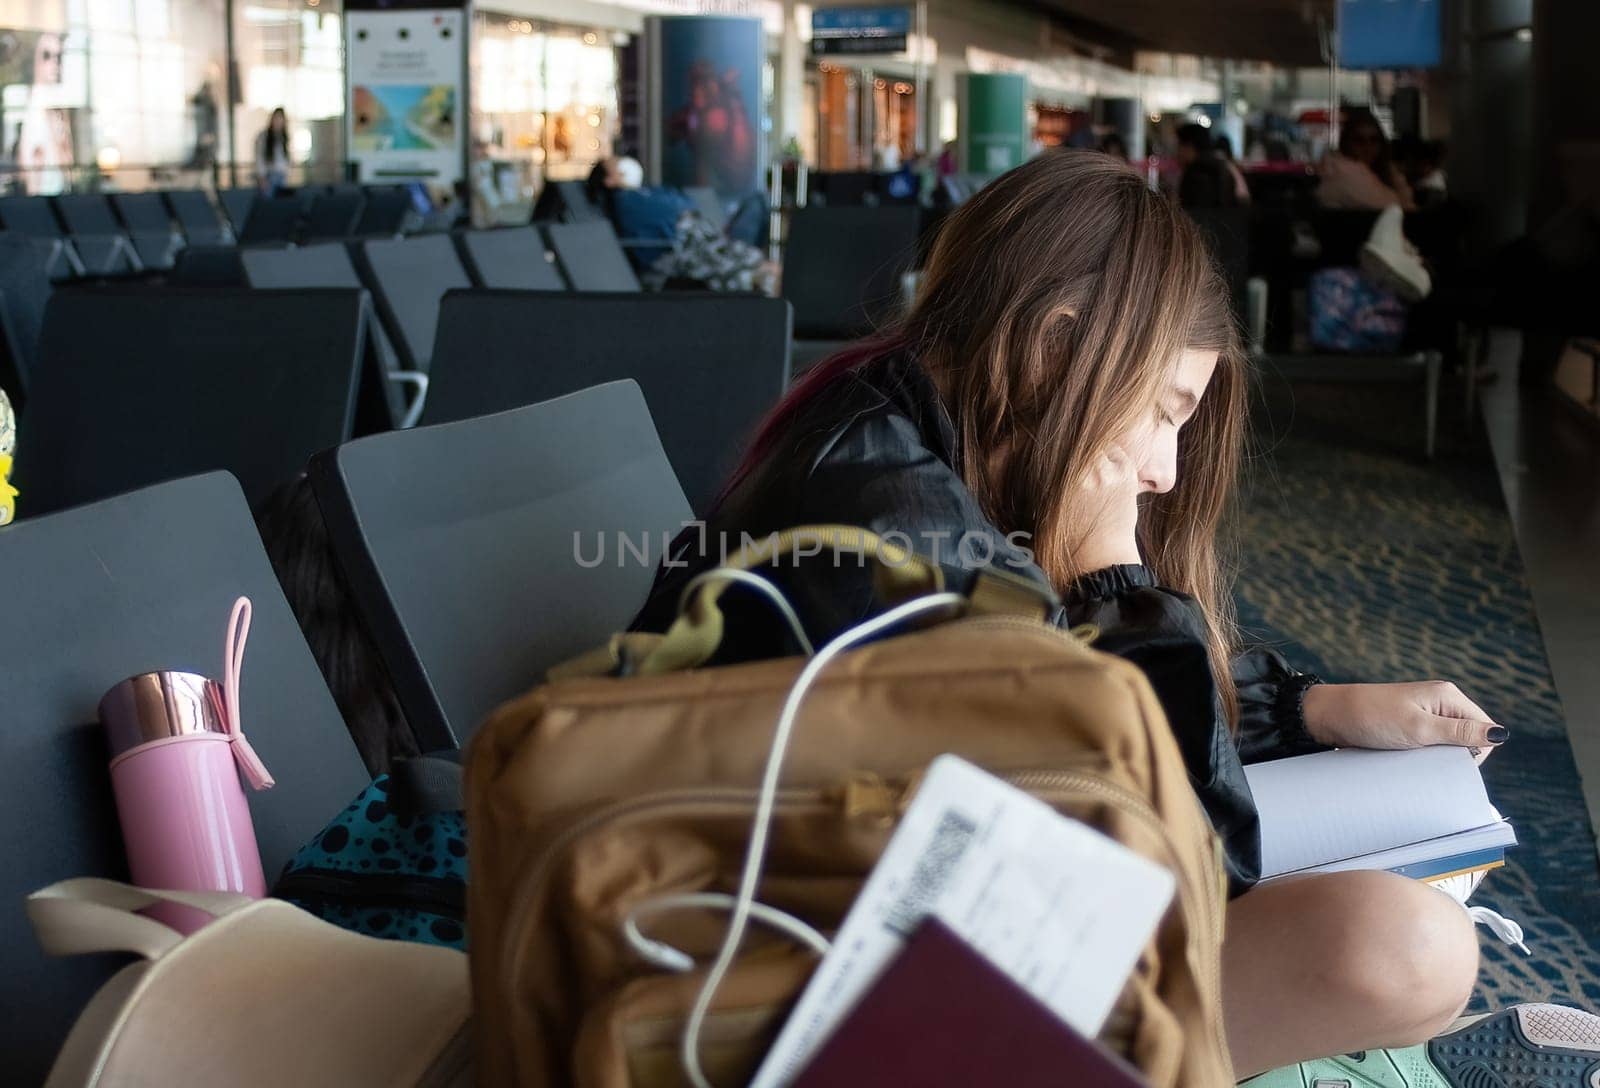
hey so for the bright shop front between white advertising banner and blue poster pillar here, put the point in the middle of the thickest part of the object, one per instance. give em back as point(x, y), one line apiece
point(545, 103)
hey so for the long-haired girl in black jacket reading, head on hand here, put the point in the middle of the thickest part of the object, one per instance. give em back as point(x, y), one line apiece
point(1066, 399)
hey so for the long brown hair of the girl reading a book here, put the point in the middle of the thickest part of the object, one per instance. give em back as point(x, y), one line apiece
point(1054, 306)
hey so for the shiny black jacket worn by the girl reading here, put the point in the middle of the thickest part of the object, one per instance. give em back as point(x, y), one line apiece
point(876, 452)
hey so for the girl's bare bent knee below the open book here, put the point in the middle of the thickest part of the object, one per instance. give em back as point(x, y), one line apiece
point(1342, 962)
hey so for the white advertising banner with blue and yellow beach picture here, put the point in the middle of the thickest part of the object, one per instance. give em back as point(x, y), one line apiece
point(406, 94)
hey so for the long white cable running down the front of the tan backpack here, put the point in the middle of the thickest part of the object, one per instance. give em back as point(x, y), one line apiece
point(756, 854)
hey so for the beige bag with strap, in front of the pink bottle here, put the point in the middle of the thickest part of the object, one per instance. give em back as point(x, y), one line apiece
point(265, 996)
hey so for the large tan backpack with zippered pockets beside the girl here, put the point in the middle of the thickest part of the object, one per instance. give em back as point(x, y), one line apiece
point(596, 793)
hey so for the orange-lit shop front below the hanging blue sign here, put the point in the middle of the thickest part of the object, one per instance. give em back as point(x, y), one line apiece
point(862, 119)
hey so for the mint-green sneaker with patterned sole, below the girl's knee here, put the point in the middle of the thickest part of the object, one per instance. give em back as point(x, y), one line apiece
point(1521, 1047)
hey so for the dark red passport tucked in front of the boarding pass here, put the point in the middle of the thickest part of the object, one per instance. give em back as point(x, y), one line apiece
point(942, 1017)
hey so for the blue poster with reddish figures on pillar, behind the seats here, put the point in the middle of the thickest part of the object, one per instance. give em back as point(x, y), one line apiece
point(710, 86)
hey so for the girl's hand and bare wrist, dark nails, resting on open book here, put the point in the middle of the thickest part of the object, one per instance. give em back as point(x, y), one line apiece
point(1399, 716)
